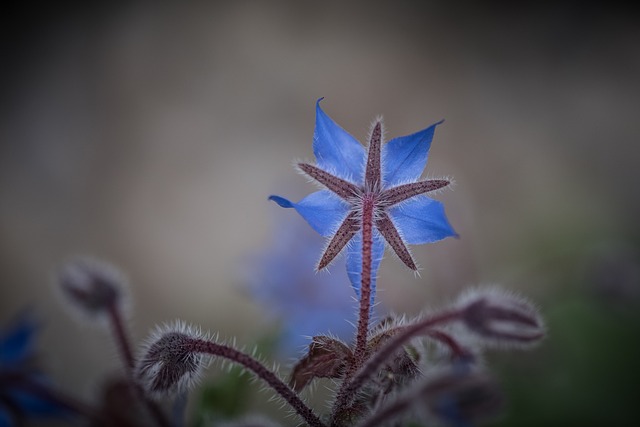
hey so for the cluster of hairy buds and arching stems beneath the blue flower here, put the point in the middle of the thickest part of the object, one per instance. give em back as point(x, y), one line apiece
point(397, 379)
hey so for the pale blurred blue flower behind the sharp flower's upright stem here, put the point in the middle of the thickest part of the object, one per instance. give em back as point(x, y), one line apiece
point(305, 303)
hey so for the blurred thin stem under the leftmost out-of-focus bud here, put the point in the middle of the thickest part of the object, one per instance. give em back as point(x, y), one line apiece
point(124, 345)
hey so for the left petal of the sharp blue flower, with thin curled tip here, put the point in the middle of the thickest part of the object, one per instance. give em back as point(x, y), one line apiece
point(322, 210)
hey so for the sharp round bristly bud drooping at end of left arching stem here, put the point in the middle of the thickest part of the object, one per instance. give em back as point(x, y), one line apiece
point(170, 361)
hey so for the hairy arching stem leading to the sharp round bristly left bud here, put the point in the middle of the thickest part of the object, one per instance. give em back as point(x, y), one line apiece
point(220, 350)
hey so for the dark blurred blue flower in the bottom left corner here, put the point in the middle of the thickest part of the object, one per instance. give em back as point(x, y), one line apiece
point(24, 391)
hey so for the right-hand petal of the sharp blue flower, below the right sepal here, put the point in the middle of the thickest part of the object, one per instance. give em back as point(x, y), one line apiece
point(421, 220)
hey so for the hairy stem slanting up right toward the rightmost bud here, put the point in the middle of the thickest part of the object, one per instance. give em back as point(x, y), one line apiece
point(408, 332)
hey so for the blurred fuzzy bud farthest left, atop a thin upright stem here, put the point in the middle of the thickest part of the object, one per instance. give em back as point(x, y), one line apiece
point(92, 286)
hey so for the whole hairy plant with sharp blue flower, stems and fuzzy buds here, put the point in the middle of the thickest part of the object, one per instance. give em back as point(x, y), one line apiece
point(373, 198)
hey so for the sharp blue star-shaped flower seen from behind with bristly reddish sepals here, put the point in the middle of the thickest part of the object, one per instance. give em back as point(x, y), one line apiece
point(381, 183)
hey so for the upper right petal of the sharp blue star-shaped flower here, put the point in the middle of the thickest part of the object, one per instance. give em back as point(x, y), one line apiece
point(405, 157)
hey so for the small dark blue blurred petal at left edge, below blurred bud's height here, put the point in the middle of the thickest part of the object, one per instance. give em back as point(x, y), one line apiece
point(16, 344)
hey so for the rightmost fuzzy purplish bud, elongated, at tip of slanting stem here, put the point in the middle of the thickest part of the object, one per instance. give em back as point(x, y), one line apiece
point(501, 318)
